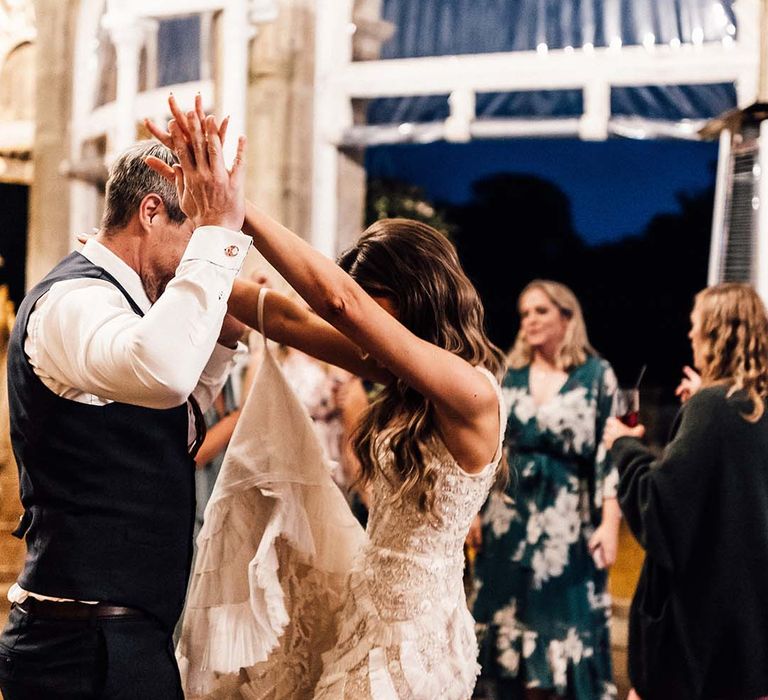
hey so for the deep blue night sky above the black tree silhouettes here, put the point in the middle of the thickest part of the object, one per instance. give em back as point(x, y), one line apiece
point(615, 187)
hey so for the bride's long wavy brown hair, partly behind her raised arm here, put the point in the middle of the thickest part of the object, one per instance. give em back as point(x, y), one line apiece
point(416, 267)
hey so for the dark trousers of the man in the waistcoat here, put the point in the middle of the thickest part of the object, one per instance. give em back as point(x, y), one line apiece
point(109, 658)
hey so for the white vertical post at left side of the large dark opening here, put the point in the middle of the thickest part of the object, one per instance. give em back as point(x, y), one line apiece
point(333, 114)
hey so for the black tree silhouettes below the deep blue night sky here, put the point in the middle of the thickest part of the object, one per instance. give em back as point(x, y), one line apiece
point(636, 293)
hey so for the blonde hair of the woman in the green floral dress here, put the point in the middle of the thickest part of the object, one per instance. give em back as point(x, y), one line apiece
point(575, 348)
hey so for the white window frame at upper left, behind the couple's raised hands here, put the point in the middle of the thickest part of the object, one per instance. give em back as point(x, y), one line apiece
point(128, 21)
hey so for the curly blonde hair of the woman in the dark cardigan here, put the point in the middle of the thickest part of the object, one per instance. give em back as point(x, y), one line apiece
point(734, 333)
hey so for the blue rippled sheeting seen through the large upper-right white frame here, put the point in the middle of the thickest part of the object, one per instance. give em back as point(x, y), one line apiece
point(455, 27)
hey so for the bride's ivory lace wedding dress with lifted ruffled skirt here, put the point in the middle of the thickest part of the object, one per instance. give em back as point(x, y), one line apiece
point(291, 600)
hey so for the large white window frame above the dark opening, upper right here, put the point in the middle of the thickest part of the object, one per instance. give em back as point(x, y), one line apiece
point(339, 80)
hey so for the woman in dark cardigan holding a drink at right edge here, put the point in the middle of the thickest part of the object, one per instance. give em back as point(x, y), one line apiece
point(698, 625)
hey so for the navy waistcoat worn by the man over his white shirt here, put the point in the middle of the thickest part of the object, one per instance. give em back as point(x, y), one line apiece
point(108, 491)
